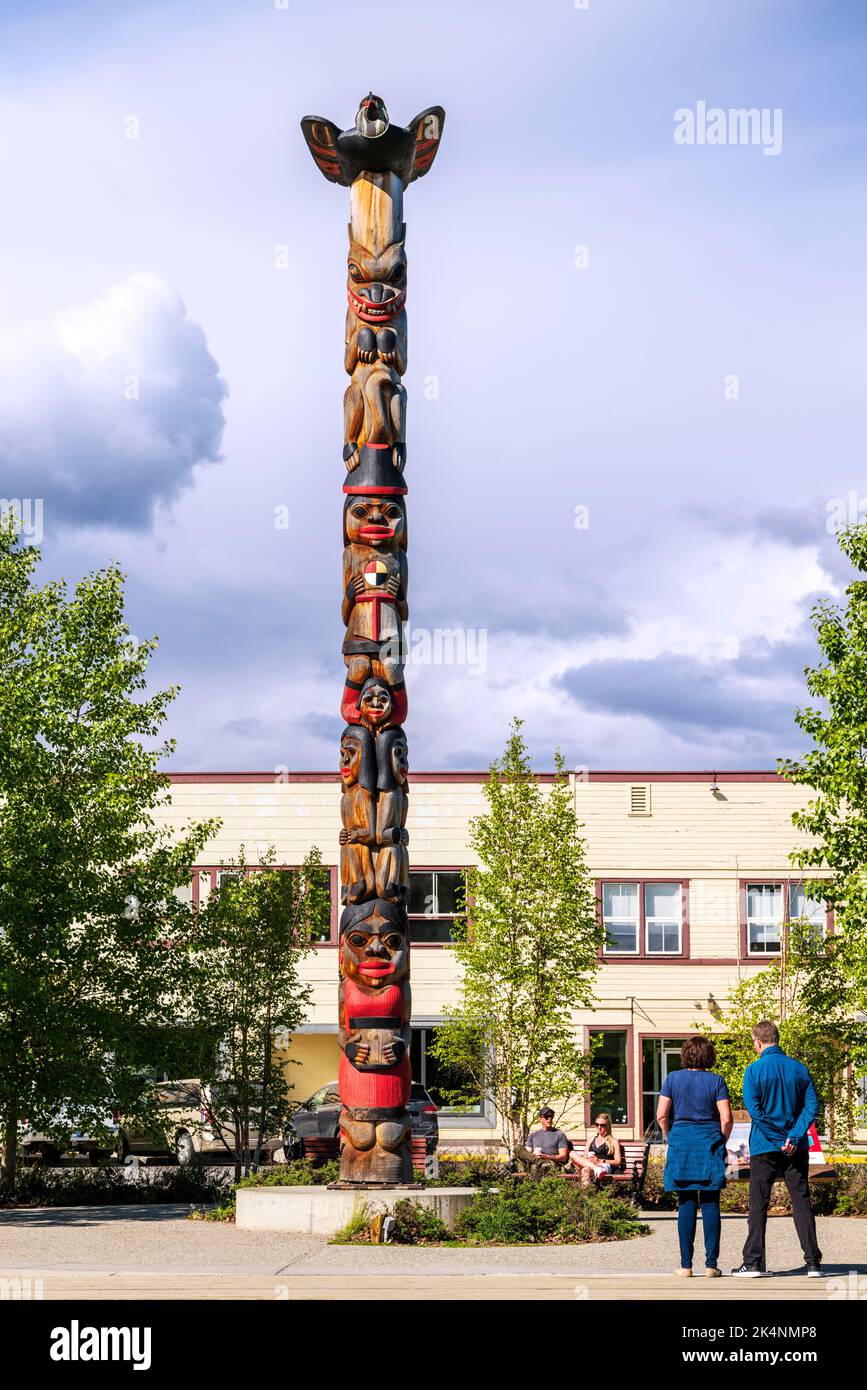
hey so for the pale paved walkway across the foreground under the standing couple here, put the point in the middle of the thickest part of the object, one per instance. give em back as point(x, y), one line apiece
point(155, 1253)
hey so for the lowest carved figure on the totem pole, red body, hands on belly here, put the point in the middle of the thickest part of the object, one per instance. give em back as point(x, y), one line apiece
point(374, 1008)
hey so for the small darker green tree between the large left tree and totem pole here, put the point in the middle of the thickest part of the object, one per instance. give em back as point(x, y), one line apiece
point(254, 933)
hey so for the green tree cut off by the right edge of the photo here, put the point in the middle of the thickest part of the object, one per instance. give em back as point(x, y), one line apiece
point(836, 819)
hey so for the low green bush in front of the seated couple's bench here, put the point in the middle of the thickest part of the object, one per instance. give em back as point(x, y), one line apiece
point(548, 1213)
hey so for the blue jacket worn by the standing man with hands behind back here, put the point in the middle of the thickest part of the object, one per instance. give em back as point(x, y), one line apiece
point(782, 1100)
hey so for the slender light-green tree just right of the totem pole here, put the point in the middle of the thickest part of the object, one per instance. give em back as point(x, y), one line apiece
point(527, 947)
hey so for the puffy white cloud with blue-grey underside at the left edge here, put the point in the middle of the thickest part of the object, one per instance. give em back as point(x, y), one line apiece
point(108, 409)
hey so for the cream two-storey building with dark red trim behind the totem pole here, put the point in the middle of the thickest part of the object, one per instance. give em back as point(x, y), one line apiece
point(694, 879)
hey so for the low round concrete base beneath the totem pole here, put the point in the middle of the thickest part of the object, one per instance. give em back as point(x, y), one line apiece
point(323, 1211)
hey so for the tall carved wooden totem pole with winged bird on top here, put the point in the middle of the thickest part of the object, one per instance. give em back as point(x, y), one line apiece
point(376, 161)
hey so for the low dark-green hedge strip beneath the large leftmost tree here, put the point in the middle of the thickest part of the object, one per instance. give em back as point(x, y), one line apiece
point(41, 1186)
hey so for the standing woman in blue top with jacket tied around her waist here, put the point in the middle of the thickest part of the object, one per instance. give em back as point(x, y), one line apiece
point(694, 1114)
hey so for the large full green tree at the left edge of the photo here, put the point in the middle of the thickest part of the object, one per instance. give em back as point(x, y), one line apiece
point(94, 931)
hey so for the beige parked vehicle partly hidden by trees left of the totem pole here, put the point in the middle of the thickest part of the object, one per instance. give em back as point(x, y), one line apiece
point(192, 1131)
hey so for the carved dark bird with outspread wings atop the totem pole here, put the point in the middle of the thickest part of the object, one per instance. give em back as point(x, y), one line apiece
point(374, 145)
